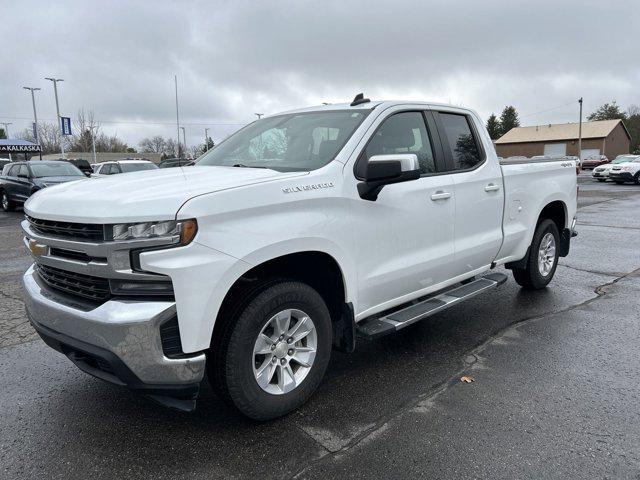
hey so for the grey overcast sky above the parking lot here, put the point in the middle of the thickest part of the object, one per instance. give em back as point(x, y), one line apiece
point(236, 58)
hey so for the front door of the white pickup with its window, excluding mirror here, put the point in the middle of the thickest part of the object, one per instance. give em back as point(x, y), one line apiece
point(405, 237)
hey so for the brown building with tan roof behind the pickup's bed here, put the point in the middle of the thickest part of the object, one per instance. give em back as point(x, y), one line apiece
point(606, 137)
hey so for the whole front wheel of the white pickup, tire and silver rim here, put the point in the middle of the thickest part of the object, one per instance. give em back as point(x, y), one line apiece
point(274, 352)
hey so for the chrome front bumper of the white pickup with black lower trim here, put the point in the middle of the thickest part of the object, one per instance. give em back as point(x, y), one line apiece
point(118, 341)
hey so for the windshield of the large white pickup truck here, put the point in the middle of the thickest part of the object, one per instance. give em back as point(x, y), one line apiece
point(286, 143)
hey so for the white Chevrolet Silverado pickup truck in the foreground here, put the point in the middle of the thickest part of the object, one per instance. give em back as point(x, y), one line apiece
point(297, 234)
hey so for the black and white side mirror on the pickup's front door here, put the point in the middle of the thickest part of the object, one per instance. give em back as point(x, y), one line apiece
point(387, 169)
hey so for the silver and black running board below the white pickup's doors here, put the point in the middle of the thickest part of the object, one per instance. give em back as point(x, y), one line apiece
point(378, 327)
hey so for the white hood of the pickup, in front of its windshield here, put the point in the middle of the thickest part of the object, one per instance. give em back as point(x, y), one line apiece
point(140, 196)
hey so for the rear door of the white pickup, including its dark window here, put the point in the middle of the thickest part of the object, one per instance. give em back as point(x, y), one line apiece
point(478, 188)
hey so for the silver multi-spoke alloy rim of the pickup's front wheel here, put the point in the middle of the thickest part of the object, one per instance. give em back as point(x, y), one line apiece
point(284, 351)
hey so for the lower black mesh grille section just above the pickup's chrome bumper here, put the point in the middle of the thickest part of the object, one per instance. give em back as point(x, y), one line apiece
point(85, 286)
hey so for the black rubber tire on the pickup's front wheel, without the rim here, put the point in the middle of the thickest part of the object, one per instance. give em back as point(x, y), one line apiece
point(231, 371)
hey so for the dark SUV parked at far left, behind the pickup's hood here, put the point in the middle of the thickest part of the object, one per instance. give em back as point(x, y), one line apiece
point(20, 180)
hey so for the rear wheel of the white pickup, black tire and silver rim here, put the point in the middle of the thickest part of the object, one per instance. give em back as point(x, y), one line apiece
point(543, 257)
